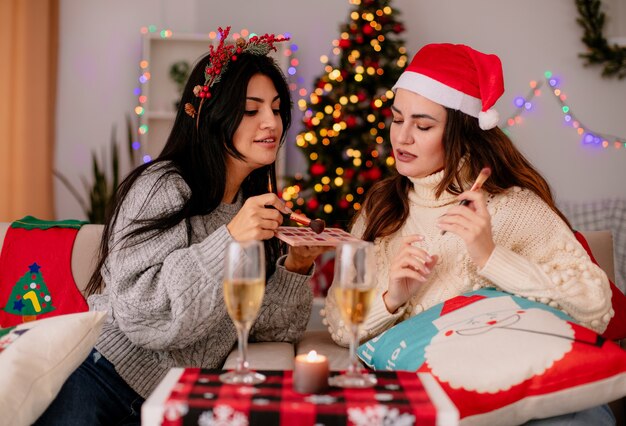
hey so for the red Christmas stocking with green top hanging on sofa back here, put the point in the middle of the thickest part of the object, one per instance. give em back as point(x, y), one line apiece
point(35, 271)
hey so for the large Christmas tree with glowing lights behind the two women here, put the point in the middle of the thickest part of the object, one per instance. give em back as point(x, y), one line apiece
point(345, 136)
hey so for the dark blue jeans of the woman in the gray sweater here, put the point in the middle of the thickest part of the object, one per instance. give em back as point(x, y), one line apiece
point(94, 395)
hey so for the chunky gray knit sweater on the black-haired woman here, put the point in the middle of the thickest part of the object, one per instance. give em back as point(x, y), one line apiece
point(164, 296)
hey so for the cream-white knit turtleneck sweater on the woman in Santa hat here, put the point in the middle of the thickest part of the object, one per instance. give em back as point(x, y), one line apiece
point(536, 256)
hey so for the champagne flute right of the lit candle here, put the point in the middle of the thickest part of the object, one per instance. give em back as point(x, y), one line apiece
point(354, 287)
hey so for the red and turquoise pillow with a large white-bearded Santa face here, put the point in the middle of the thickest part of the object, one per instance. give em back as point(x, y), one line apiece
point(503, 359)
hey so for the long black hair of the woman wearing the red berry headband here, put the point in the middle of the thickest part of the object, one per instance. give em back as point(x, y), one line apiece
point(198, 154)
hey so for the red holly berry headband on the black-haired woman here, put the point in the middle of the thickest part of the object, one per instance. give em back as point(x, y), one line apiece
point(220, 57)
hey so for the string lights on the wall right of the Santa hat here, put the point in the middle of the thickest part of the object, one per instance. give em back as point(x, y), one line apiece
point(588, 137)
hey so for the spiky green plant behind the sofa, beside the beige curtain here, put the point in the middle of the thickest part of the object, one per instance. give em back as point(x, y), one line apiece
point(103, 184)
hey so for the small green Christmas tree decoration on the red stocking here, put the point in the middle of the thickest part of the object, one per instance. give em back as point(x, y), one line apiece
point(30, 296)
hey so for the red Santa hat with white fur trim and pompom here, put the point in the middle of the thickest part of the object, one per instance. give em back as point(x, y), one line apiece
point(458, 77)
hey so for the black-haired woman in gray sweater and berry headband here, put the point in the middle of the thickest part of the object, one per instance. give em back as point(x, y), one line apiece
point(160, 271)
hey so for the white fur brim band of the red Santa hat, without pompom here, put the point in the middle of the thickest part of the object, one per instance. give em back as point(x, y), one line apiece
point(439, 92)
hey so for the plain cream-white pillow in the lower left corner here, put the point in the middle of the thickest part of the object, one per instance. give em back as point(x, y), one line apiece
point(37, 357)
